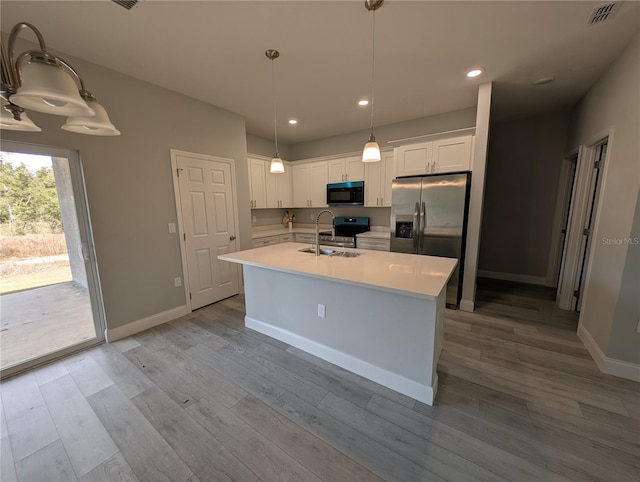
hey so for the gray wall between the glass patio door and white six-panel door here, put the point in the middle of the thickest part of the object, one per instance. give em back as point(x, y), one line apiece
point(130, 186)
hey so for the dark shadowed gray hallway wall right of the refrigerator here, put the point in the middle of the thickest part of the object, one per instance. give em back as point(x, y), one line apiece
point(520, 194)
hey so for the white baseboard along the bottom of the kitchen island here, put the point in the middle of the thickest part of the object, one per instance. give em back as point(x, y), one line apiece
point(411, 388)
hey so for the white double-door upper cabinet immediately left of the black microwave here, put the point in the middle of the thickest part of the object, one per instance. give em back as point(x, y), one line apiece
point(310, 184)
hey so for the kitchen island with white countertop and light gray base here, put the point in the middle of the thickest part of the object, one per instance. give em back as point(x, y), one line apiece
point(379, 315)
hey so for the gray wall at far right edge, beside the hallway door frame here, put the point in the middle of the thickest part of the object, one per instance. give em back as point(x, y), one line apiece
point(613, 104)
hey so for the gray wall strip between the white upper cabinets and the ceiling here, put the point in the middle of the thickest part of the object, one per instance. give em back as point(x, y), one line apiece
point(355, 141)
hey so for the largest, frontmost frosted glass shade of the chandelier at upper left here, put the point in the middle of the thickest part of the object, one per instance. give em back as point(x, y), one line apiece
point(49, 89)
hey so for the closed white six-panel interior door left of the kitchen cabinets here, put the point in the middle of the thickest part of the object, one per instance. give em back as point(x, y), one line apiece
point(209, 226)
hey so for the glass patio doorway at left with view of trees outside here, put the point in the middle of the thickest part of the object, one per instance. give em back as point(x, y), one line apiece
point(49, 296)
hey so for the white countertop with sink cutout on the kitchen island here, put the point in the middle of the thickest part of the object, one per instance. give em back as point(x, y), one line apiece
point(407, 274)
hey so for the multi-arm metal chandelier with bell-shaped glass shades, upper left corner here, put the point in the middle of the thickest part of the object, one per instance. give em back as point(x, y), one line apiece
point(43, 82)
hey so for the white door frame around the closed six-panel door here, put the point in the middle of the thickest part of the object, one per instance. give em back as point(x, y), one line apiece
point(181, 233)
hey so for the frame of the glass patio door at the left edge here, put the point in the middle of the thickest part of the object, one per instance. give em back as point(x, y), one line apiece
point(94, 287)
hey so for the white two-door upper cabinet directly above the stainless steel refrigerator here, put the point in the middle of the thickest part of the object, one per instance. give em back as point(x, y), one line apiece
point(444, 155)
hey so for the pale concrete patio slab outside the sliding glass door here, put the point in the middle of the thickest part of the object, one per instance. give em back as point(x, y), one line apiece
point(42, 320)
